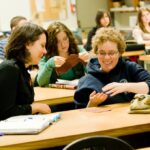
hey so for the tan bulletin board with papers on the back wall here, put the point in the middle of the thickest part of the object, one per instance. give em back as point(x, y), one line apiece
point(45, 10)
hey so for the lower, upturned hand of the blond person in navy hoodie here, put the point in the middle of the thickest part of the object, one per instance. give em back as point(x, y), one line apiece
point(96, 99)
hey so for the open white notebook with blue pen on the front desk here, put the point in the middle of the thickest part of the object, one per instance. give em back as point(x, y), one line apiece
point(27, 124)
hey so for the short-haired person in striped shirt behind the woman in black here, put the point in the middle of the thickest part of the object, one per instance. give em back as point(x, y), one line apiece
point(14, 22)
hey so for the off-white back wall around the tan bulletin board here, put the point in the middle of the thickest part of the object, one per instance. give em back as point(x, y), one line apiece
point(11, 8)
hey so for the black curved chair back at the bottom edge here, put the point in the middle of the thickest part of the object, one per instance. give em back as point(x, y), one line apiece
point(98, 143)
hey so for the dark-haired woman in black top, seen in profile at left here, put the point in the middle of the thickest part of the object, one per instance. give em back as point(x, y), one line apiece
point(25, 47)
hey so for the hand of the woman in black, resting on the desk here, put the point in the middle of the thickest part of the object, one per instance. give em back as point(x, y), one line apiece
point(40, 108)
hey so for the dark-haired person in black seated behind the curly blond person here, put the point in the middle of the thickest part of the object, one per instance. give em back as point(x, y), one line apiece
point(102, 19)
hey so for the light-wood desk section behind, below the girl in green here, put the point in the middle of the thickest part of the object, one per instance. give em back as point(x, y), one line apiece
point(53, 96)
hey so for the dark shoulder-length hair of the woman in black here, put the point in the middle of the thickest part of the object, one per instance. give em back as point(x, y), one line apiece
point(19, 38)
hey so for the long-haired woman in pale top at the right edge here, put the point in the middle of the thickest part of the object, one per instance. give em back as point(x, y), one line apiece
point(141, 33)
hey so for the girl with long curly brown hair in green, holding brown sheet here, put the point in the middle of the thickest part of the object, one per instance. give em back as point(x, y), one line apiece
point(61, 45)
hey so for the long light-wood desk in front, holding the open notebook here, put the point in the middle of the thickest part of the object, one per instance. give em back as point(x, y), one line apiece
point(75, 124)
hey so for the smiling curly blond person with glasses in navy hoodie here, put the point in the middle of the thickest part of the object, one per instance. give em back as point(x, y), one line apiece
point(110, 79)
